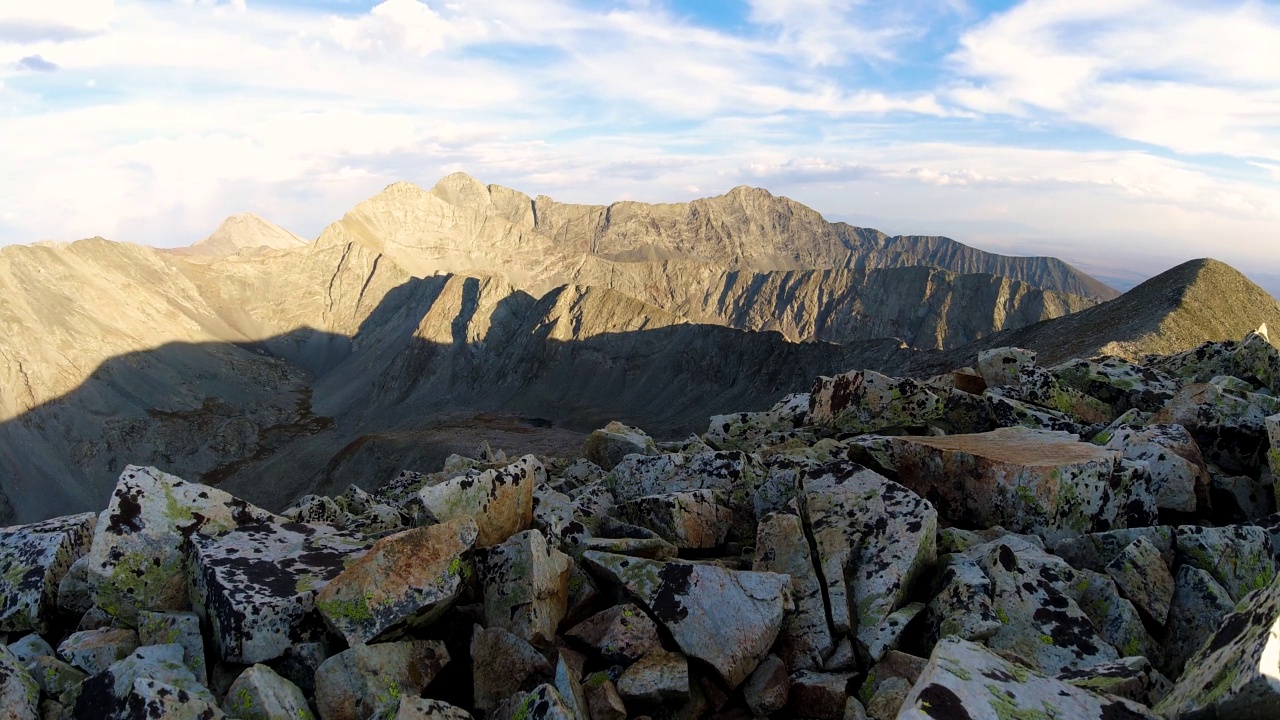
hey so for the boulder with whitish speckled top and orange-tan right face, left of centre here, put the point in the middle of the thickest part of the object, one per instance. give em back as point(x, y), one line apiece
point(500, 500)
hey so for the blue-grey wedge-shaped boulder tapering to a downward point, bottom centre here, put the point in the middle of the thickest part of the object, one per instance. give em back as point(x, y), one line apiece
point(728, 619)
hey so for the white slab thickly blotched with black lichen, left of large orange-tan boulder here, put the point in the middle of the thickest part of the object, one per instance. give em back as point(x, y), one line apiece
point(258, 585)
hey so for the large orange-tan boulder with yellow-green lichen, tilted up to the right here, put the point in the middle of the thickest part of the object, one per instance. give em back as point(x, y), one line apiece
point(405, 581)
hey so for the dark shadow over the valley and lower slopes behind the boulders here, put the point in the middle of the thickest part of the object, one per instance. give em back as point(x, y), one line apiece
point(438, 367)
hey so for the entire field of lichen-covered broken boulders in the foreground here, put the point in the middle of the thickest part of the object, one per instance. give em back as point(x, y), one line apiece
point(881, 548)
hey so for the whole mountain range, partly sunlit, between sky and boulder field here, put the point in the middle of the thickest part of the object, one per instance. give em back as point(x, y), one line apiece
point(427, 322)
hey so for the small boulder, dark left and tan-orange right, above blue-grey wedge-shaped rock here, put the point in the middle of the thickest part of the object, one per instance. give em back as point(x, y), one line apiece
point(691, 520)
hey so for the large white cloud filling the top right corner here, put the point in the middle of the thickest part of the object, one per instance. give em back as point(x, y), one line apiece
point(1192, 78)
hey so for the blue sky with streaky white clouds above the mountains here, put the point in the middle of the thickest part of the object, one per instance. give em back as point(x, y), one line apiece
point(1124, 136)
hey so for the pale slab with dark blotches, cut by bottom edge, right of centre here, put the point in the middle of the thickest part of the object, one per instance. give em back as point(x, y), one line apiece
point(967, 681)
